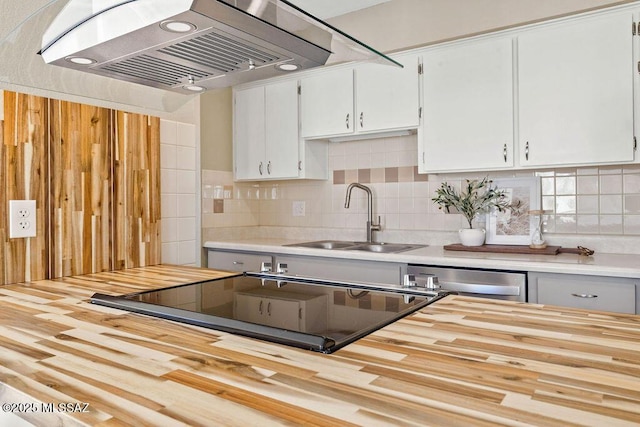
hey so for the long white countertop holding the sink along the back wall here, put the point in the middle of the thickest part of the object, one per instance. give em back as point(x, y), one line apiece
point(615, 265)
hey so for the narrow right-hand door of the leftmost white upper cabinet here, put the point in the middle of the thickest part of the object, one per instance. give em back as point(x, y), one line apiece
point(281, 129)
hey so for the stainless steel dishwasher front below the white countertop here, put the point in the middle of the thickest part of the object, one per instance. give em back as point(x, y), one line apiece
point(496, 284)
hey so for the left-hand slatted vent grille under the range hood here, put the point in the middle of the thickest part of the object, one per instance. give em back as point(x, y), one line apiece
point(147, 67)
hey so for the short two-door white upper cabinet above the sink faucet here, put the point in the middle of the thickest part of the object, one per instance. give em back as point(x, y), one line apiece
point(367, 98)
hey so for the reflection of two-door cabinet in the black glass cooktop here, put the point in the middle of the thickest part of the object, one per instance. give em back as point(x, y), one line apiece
point(290, 310)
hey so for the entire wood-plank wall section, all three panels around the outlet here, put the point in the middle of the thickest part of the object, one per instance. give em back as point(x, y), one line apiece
point(95, 176)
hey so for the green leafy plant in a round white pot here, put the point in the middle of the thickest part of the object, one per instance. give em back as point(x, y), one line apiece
point(477, 196)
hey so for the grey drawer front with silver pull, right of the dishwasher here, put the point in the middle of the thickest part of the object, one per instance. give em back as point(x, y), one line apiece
point(588, 293)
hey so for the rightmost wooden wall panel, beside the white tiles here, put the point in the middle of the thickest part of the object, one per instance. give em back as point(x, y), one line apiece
point(137, 191)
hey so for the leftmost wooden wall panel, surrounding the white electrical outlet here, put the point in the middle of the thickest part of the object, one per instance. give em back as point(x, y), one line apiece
point(23, 160)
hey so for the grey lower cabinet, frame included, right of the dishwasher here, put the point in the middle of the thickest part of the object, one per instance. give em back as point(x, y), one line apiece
point(587, 292)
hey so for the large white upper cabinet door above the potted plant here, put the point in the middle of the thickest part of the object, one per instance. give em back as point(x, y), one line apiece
point(468, 107)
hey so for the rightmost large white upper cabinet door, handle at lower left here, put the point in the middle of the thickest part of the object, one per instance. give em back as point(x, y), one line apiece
point(576, 92)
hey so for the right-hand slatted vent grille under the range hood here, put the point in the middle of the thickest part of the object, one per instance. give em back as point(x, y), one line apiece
point(221, 52)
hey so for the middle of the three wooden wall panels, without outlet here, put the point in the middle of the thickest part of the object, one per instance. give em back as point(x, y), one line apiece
point(81, 189)
